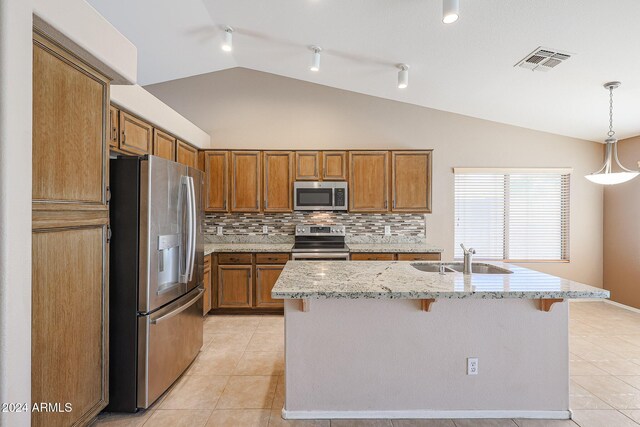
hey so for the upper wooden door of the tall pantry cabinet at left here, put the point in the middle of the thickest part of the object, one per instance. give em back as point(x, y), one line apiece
point(70, 102)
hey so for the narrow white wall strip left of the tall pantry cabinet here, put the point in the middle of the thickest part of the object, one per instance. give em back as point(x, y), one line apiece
point(15, 207)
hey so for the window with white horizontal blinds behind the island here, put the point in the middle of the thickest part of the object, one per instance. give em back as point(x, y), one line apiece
point(513, 214)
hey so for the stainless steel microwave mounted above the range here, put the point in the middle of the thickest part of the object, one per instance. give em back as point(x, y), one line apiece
point(320, 196)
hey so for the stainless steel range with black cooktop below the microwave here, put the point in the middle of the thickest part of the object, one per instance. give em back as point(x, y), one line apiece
point(320, 243)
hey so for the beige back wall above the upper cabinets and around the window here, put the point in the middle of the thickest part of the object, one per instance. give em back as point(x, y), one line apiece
point(241, 108)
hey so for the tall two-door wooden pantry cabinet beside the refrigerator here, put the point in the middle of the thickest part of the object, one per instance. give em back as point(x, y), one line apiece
point(70, 236)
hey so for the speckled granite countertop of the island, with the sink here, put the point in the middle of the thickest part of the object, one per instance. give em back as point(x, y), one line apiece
point(399, 280)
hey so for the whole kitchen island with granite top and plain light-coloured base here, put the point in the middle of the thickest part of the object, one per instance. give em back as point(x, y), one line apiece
point(389, 340)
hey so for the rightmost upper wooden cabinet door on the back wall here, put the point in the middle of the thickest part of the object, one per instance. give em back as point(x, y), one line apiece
point(411, 181)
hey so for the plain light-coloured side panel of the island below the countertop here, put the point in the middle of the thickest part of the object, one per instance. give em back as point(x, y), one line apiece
point(354, 357)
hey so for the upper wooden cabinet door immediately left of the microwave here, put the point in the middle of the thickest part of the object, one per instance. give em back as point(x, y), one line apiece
point(277, 181)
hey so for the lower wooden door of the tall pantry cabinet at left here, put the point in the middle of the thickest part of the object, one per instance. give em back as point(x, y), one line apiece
point(68, 326)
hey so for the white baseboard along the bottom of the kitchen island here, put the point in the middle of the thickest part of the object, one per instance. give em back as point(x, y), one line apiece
point(323, 415)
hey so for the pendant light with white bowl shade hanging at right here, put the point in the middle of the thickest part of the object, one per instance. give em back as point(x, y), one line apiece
point(606, 174)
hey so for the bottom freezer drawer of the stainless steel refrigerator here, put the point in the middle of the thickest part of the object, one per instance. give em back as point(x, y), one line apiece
point(168, 341)
